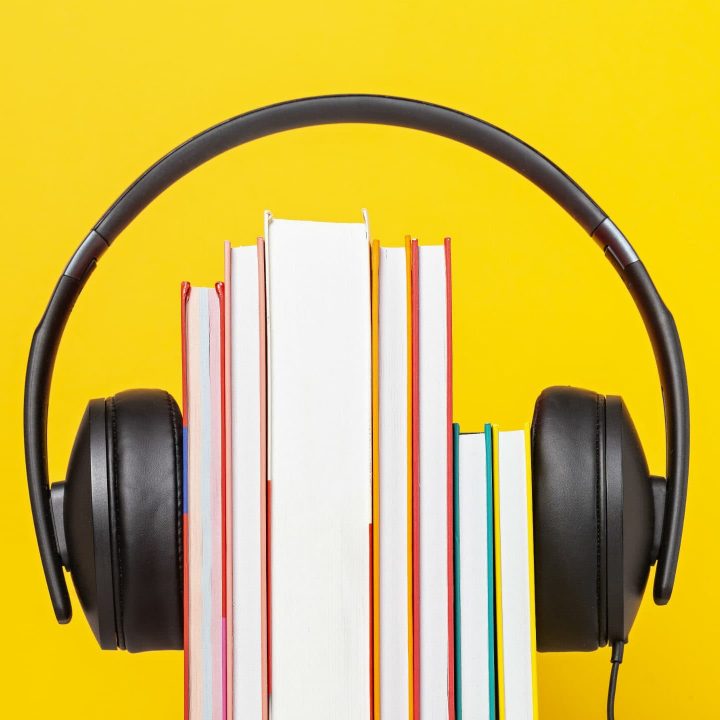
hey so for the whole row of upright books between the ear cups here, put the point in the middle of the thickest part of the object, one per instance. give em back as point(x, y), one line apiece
point(349, 554)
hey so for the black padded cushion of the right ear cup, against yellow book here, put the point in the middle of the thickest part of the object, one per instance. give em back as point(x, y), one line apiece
point(568, 450)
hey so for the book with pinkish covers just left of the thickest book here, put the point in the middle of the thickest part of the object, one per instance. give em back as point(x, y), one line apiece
point(246, 495)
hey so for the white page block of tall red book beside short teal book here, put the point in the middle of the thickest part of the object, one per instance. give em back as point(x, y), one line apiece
point(435, 579)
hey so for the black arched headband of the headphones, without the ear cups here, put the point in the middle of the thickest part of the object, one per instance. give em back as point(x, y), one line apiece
point(379, 110)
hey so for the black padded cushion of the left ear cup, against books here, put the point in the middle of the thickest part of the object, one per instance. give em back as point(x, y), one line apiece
point(144, 429)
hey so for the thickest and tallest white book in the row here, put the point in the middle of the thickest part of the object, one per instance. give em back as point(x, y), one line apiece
point(320, 468)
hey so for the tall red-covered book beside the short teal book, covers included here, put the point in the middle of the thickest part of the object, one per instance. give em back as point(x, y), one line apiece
point(433, 586)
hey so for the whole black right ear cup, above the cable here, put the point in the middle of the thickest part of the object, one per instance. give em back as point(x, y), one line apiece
point(593, 519)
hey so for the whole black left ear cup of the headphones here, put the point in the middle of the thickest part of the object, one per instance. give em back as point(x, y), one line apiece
point(123, 520)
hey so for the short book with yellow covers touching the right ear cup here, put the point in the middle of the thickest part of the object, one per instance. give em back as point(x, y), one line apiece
point(514, 572)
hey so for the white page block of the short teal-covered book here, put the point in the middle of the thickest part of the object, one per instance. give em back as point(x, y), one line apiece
point(473, 623)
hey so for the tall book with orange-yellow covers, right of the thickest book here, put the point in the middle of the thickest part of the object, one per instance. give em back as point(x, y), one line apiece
point(392, 481)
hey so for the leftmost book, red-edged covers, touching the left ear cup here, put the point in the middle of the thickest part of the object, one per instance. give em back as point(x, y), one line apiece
point(203, 432)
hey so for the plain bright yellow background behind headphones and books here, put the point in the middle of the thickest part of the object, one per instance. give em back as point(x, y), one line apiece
point(622, 95)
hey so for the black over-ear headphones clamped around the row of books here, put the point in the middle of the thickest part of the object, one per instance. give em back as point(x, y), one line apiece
point(600, 520)
